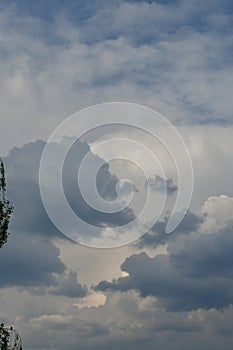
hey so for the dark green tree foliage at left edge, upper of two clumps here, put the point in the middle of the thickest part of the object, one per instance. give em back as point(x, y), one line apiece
point(6, 207)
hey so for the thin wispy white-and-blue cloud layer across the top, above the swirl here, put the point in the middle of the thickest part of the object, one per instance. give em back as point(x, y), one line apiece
point(173, 57)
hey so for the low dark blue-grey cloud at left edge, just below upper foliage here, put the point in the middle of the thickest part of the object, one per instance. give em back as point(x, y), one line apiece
point(29, 261)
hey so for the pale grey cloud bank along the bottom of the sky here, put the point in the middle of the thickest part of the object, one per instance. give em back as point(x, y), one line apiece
point(127, 321)
